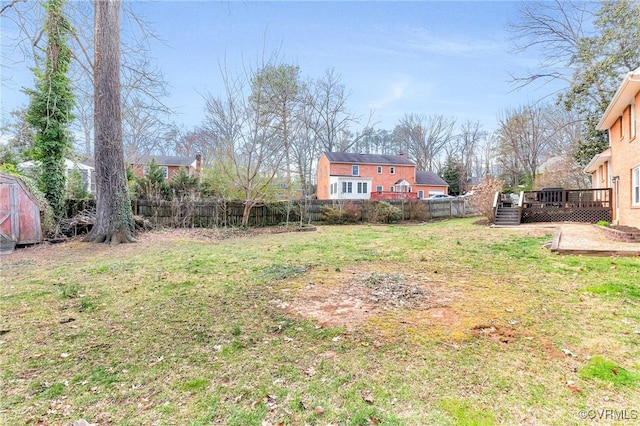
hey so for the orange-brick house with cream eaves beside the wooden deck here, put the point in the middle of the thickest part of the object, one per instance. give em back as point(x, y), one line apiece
point(618, 166)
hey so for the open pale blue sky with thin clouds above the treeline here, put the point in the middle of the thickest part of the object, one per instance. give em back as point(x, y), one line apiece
point(394, 58)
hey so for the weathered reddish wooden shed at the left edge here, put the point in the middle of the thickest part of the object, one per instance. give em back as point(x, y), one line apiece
point(19, 214)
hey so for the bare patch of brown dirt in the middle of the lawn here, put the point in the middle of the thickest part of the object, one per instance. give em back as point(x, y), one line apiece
point(361, 295)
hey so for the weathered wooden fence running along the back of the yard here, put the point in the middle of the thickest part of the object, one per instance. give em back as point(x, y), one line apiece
point(209, 214)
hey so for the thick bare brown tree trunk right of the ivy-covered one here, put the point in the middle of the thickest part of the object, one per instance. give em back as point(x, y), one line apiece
point(114, 219)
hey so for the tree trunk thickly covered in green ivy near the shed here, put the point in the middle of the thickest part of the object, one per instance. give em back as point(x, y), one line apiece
point(50, 109)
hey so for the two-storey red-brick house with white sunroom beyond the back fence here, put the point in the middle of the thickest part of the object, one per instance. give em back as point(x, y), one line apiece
point(345, 176)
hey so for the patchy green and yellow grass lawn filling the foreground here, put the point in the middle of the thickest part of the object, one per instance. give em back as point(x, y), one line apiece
point(444, 323)
